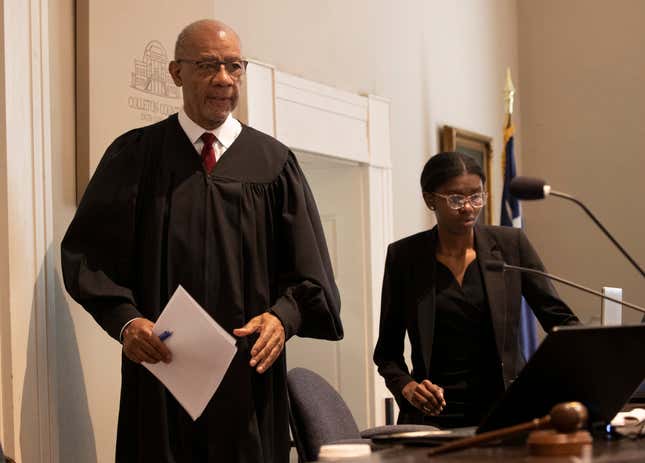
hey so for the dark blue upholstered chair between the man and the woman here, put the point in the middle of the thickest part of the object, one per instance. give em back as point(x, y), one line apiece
point(318, 415)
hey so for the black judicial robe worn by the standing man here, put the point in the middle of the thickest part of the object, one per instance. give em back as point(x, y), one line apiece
point(243, 240)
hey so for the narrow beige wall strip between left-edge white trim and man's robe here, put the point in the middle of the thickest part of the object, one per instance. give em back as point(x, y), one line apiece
point(88, 360)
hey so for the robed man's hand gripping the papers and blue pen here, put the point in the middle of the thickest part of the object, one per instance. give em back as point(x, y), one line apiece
point(140, 344)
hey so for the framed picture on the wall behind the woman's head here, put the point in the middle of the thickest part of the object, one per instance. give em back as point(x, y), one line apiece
point(479, 147)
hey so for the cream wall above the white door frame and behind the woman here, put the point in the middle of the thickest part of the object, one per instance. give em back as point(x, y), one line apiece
point(438, 62)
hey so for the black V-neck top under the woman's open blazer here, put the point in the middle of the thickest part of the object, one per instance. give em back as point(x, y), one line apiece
point(464, 358)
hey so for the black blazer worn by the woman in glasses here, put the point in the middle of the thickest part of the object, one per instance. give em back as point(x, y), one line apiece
point(408, 303)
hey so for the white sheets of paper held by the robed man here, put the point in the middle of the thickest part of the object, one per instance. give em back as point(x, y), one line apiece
point(201, 353)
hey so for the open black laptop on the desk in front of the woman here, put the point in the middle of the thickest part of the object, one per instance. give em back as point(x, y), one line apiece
point(600, 366)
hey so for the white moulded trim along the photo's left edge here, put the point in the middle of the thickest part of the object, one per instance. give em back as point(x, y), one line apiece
point(27, 356)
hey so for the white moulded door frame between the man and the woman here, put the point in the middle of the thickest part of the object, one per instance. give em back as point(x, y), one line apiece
point(302, 114)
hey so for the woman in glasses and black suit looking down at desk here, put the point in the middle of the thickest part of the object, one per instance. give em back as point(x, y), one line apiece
point(462, 320)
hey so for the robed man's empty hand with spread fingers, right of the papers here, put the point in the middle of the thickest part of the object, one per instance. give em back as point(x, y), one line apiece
point(270, 341)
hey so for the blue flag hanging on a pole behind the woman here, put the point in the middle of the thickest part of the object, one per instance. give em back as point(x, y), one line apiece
point(512, 217)
